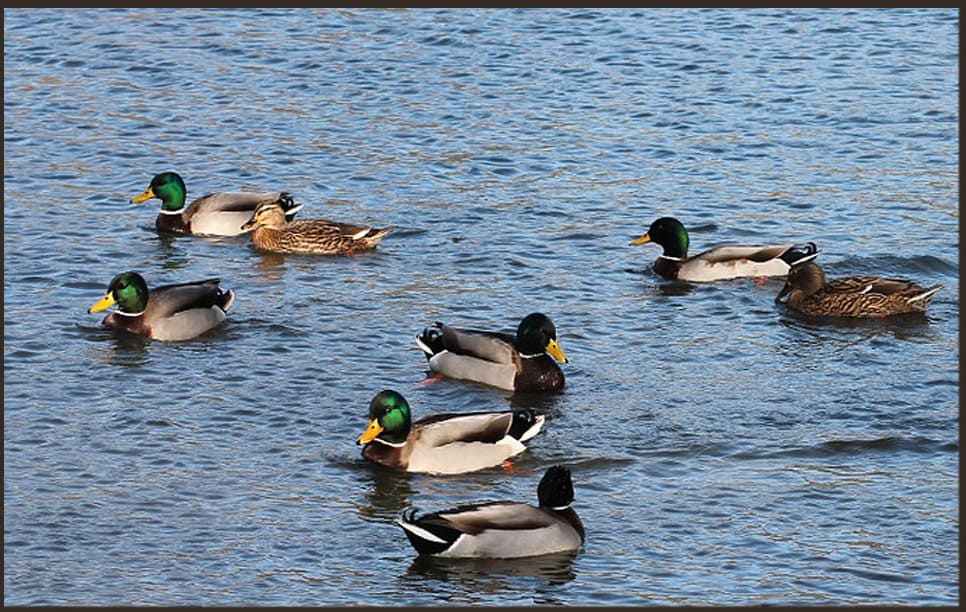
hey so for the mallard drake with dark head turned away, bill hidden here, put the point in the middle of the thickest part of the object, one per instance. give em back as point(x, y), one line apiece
point(502, 530)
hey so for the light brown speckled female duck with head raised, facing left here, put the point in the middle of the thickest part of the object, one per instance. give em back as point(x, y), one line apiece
point(271, 234)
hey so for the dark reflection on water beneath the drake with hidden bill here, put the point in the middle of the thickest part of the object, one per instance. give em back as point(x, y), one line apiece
point(494, 575)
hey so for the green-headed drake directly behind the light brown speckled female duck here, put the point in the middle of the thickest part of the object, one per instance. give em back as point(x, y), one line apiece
point(216, 214)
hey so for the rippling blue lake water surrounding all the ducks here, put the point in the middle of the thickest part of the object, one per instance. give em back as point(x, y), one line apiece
point(724, 451)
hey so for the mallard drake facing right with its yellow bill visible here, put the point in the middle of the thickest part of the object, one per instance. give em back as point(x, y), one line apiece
point(520, 362)
